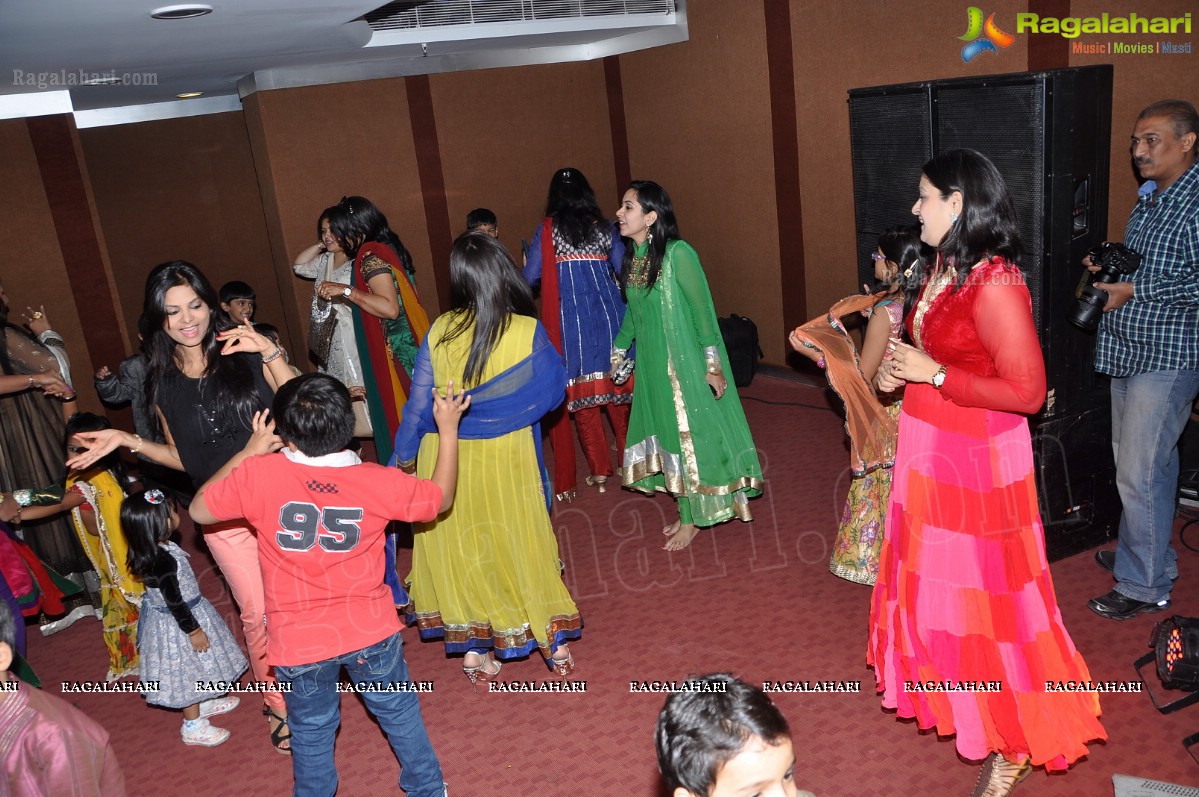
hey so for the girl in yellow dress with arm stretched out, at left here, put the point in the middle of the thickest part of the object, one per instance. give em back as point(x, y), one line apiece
point(93, 497)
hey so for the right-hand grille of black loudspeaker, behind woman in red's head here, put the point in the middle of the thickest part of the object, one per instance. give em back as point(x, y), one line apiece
point(1007, 124)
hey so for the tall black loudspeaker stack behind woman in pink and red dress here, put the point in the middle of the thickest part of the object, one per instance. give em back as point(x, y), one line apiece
point(1049, 135)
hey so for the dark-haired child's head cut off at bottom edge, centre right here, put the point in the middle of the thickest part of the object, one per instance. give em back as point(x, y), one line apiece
point(725, 739)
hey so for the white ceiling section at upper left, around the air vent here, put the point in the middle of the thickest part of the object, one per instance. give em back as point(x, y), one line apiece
point(255, 45)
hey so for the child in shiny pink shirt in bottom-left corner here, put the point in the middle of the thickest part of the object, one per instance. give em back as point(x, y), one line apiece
point(50, 747)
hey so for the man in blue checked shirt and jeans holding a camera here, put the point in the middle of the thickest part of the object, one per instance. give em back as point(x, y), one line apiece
point(1149, 345)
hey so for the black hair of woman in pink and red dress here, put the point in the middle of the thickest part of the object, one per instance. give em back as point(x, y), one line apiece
point(987, 226)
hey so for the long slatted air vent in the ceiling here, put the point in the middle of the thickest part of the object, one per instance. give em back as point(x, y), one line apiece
point(406, 15)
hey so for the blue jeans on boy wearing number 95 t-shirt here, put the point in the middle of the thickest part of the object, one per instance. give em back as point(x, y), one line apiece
point(315, 715)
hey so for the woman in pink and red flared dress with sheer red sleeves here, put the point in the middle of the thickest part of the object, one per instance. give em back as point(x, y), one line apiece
point(965, 595)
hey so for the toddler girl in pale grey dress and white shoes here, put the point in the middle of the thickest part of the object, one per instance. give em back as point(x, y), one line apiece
point(186, 649)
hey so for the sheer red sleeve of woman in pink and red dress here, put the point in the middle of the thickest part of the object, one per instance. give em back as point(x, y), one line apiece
point(1003, 317)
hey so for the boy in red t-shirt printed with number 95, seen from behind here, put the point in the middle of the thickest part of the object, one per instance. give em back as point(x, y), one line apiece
point(321, 516)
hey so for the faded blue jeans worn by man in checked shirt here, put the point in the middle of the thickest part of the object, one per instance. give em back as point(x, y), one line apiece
point(1149, 413)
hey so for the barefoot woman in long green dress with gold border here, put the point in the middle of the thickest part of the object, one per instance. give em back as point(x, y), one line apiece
point(688, 433)
